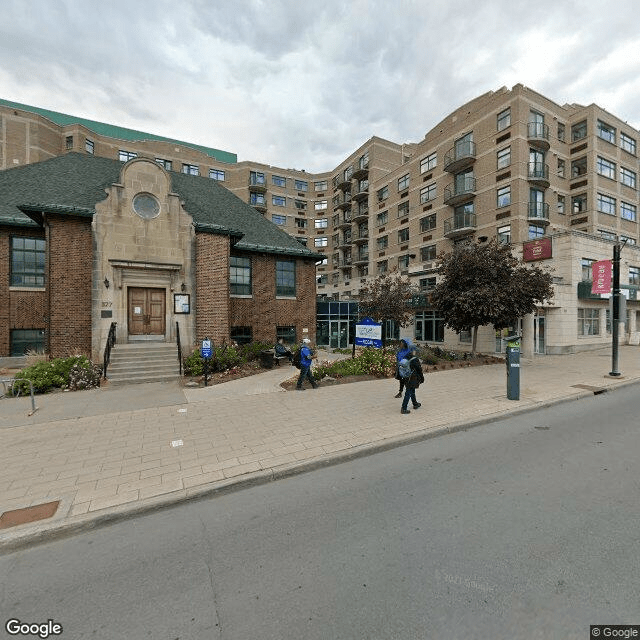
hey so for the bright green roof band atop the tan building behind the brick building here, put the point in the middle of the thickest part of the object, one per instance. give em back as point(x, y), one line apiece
point(121, 133)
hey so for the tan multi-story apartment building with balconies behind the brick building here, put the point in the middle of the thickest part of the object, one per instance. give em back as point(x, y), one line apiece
point(510, 164)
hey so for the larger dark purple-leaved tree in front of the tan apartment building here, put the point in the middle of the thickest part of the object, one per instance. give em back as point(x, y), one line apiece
point(486, 284)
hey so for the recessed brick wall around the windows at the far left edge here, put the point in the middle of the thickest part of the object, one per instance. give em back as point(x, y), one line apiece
point(22, 309)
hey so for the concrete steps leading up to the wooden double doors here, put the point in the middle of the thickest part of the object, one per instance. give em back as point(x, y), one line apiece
point(143, 362)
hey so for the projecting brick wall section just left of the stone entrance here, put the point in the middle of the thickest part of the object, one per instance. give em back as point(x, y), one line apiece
point(70, 253)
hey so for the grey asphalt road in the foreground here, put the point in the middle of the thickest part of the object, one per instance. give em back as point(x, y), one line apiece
point(524, 528)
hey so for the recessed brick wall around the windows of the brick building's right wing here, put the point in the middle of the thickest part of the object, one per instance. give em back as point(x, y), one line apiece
point(264, 312)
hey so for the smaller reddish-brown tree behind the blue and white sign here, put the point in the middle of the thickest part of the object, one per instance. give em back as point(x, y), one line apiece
point(387, 297)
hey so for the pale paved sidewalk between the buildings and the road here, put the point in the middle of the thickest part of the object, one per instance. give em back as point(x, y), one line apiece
point(114, 452)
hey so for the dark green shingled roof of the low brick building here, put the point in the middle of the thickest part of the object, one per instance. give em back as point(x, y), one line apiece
point(74, 183)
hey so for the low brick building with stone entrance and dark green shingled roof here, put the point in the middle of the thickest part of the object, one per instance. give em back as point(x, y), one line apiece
point(86, 241)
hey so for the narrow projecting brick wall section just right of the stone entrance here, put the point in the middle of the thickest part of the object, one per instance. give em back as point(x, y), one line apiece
point(211, 304)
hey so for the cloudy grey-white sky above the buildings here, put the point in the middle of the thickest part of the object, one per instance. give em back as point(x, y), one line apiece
point(302, 84)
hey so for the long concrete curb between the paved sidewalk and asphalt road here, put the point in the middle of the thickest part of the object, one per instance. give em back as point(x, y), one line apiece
point(42, 533)
